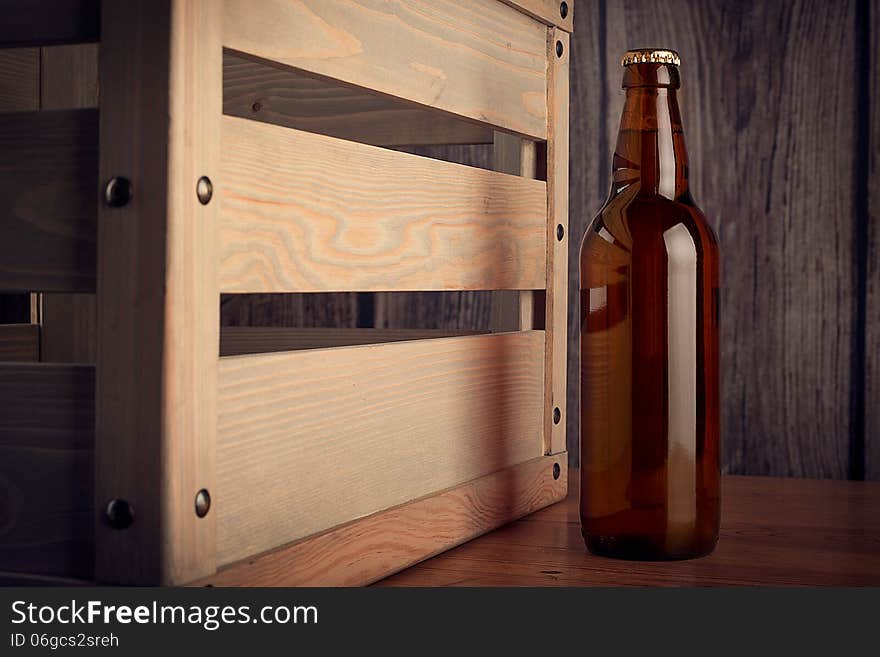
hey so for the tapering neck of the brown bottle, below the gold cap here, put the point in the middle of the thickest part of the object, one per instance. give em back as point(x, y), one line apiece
point(650, 144)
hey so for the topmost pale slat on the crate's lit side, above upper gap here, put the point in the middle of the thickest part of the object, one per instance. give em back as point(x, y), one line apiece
point(479, 59)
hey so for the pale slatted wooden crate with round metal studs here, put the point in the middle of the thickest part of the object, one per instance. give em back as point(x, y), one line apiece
point(330, 457)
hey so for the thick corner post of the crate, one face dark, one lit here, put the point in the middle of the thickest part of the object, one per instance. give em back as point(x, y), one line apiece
point(158, 295)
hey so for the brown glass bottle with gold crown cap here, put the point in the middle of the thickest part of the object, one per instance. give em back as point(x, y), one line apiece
point(649, 340)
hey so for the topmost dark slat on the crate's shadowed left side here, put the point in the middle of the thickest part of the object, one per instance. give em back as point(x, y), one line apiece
point(30, 23)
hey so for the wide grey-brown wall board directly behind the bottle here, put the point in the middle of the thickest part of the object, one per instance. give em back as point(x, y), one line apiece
point(752, 115)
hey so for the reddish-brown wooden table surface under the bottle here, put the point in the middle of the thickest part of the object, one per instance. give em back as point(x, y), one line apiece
point(773, 532)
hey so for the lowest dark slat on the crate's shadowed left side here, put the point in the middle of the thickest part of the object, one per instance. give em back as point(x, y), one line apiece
point(46, 440)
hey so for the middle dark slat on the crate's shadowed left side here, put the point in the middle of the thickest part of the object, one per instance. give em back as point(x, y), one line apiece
point(48, 200)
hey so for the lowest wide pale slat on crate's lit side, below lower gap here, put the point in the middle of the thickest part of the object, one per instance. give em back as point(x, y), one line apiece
point(312, 439)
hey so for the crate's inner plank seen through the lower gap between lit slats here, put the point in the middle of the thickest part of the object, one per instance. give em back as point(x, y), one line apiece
point(239, 340)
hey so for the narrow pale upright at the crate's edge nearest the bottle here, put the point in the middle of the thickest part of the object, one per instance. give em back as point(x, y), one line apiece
point(558, 57)
